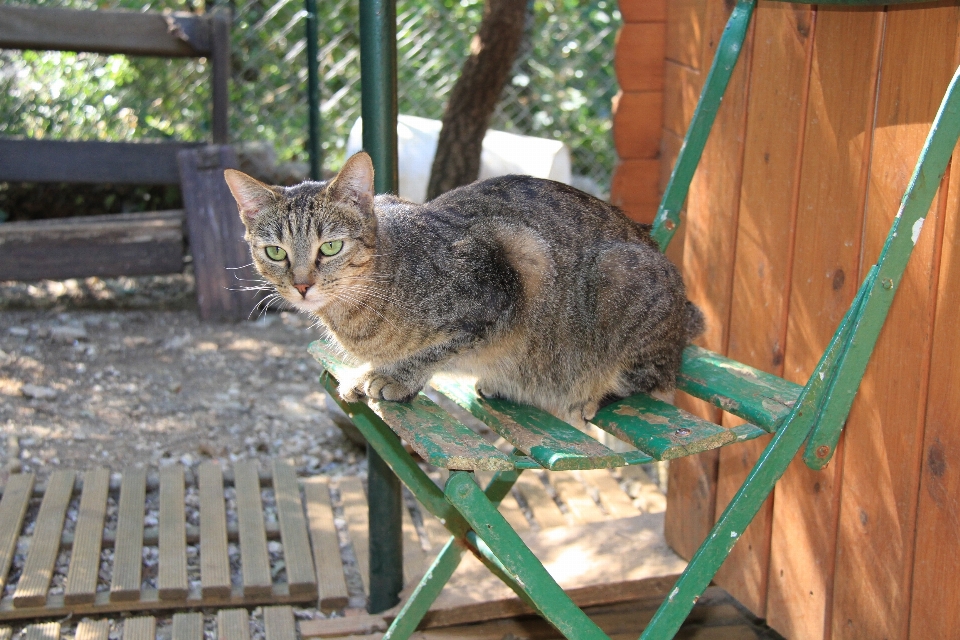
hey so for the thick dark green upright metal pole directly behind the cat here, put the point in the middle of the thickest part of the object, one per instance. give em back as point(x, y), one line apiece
point(378, 86)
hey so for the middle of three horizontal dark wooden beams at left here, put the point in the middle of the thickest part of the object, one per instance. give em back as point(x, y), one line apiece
point(103, 162)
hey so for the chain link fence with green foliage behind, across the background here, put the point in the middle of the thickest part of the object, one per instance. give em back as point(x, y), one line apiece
point(561, 86)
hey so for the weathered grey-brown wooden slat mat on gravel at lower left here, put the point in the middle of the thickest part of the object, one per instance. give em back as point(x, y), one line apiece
point(137, 545)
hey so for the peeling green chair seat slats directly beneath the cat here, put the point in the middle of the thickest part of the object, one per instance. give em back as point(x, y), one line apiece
point(658, 430)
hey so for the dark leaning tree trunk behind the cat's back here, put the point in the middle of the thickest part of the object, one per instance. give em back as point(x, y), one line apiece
point(475, 95)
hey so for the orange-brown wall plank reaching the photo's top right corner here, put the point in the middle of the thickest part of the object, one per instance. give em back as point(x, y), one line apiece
point(884, 434)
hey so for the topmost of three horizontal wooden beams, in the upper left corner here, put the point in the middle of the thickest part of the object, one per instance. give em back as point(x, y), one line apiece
point(128, 32)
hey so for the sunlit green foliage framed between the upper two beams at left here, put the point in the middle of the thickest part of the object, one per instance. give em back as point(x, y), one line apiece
point(65, 95)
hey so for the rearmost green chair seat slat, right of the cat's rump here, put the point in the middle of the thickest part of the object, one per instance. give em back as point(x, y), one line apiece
point(756, 396)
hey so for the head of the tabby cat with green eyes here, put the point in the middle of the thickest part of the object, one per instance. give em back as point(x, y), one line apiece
point(312, 241)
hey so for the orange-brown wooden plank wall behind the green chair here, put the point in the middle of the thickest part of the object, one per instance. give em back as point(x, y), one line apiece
point(802, 176)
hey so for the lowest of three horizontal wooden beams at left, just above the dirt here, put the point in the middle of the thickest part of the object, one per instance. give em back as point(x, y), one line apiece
point(110, 245)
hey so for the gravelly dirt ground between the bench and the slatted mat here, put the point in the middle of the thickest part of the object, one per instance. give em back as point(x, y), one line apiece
point(124, 374)
